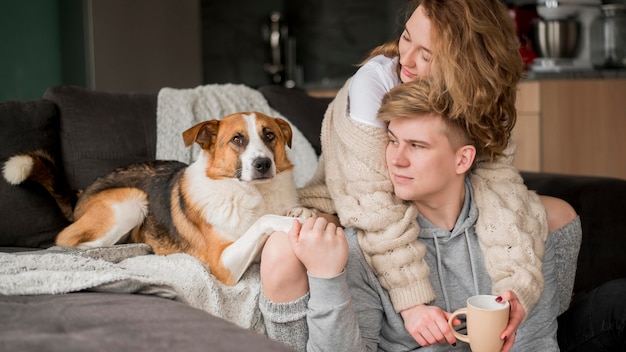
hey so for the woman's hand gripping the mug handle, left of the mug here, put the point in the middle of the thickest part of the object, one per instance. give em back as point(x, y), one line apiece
point(429, 325)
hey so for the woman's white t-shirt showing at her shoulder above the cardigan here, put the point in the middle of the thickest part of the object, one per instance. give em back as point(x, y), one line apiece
point(368, 86)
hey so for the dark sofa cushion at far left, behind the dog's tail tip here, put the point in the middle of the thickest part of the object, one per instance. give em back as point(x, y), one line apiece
point(30, 216)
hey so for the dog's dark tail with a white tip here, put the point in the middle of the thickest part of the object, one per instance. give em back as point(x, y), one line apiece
point(38, 166)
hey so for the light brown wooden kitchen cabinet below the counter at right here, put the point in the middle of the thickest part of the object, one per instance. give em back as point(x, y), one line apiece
point(575, 126)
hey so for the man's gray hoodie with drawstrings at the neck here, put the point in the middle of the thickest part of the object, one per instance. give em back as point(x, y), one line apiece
point(352, 312)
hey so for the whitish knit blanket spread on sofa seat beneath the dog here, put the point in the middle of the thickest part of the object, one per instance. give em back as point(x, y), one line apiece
point(132, 269)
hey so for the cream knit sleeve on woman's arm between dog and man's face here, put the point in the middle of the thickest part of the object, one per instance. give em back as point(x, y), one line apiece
point(358, 183)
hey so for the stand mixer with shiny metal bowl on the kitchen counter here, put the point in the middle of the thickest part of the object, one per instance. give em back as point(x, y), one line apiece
point(563, 34)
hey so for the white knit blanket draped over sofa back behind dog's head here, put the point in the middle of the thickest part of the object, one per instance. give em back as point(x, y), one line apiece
point(180, 109)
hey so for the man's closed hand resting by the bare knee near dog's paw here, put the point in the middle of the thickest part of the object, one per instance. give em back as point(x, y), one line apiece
point(321, 246)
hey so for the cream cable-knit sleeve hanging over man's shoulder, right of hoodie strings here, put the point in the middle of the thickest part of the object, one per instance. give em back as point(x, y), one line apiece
point(511, 229)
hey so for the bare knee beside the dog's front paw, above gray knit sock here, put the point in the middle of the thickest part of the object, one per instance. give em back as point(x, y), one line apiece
point(283, 277)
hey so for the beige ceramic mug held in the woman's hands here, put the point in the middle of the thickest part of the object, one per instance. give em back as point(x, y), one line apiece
point(486, 320)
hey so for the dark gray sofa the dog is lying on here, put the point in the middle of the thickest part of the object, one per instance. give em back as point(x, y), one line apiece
point(89, 133)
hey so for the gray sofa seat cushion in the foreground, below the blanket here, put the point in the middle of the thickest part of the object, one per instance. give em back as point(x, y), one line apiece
point(118, 322)
